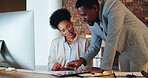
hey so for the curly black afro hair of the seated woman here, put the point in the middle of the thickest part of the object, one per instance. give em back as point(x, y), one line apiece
point(58, 16)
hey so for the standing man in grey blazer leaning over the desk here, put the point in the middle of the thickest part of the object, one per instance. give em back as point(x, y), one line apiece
point(122, 31)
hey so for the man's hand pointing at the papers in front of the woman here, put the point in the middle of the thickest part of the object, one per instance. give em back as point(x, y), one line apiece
point(75, 64)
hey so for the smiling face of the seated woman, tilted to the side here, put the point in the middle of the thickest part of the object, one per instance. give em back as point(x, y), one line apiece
point(66, 28)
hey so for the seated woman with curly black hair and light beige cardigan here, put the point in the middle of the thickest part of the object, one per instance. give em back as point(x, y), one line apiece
point(67, 47)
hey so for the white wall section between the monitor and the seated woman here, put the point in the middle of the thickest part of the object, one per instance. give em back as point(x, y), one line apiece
point(43, 32)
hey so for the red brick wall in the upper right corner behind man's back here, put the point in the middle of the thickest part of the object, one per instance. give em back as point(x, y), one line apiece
point(139, 8)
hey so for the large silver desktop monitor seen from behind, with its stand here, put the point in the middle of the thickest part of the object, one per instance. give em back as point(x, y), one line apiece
point(17, 46)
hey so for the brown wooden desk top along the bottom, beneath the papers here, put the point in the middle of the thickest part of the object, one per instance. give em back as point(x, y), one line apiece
point(15, 74)
